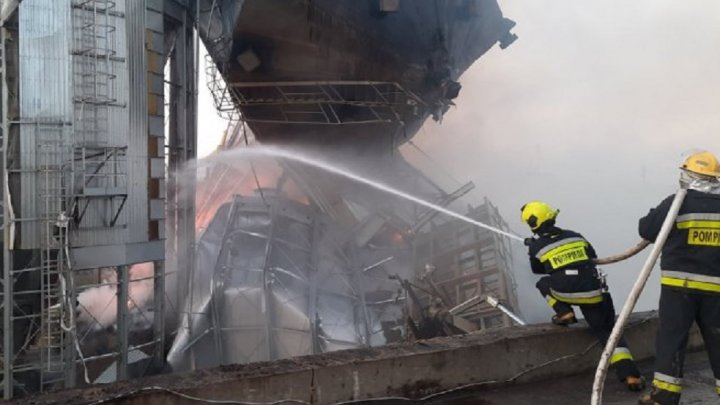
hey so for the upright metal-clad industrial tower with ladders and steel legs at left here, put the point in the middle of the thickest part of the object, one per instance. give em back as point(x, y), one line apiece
point(85, 185)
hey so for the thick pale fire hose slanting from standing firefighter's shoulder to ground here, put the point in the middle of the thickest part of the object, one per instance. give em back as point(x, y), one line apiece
point(602, 368)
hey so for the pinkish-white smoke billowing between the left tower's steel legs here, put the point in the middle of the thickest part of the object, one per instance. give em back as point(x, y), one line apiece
point(97, 306)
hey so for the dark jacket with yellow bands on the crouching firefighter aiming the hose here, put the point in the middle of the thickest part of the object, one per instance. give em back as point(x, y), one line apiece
point(567, 257)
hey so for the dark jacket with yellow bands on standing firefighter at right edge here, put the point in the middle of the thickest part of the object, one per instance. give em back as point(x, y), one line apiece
point(691, 255)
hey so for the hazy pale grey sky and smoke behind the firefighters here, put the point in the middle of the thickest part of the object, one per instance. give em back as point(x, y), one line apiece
point(590, 110)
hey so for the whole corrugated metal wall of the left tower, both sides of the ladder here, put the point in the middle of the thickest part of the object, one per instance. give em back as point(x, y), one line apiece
point(61, 76)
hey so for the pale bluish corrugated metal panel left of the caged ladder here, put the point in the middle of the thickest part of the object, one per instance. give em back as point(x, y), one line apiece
point(45, 101)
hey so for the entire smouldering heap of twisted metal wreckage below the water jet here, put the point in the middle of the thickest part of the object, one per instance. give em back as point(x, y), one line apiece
point(311, 277)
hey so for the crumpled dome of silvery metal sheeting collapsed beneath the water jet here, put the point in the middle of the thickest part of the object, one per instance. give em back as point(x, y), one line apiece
point(271, 282)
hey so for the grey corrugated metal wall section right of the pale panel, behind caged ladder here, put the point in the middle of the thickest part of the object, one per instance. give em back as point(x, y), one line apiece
point(125, 128)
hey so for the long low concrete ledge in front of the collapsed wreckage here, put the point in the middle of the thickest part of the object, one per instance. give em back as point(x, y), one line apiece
point(507, 356)
